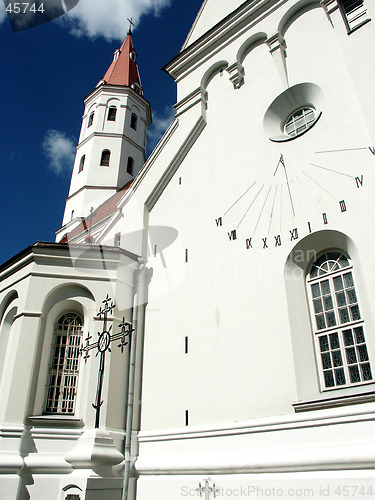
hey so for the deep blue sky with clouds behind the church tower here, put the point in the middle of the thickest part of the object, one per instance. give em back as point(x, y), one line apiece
point(46, 73)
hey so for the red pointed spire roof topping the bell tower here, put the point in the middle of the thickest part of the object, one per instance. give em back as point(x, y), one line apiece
point(124, 69)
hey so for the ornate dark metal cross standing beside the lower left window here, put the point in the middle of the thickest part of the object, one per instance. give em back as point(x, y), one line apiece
point(103, 345)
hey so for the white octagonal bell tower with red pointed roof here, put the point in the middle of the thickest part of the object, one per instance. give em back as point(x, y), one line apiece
point(112, 143)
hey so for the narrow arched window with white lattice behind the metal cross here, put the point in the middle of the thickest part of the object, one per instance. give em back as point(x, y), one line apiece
point(64, 365)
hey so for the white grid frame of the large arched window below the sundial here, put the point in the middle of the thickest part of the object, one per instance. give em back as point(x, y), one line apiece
point(342, 329)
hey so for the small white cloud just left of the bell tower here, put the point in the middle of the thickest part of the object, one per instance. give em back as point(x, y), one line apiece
point(59, 149)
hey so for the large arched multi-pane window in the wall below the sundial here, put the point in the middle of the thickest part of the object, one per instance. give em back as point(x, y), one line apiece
point(337, 321)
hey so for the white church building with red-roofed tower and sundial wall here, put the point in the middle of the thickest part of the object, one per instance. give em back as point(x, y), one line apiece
point(204, 323)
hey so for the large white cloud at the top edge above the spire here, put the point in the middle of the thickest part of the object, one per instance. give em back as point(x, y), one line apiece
point(108, 18)
